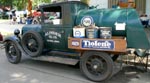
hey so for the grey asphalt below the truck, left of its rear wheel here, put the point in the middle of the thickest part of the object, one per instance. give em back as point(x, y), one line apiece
point(31, 71)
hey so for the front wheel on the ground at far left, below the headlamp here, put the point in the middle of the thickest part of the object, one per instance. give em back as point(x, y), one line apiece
point(12, 52)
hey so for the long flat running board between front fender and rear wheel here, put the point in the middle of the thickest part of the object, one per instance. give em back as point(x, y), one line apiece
point(68, 61)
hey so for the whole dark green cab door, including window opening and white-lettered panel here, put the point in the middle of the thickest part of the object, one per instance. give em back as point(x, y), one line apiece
point(53, 30)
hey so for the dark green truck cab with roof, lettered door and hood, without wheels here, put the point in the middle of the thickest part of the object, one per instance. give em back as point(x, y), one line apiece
point(57, 22)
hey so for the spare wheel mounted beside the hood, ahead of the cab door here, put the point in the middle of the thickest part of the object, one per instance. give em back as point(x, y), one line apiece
point(32, 43)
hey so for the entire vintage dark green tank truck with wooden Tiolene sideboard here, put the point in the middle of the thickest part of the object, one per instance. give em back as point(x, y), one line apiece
point(61, 37)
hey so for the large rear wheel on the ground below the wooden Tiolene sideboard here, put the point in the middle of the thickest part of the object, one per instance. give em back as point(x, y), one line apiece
point(96, 66)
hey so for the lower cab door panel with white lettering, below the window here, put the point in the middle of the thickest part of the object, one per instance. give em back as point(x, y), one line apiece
point(54, 36)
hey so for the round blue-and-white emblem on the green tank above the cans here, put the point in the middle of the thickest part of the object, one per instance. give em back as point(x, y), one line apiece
point(87, 21)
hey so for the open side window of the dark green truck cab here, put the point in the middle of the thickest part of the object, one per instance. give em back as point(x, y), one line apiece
point(53, 15)
